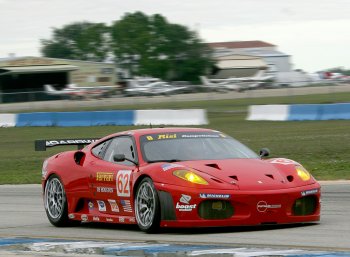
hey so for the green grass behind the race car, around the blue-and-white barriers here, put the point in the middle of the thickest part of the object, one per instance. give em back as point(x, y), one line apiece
point(323, 147)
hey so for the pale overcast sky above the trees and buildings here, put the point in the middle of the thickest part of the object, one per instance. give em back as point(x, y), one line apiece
point(314, 32)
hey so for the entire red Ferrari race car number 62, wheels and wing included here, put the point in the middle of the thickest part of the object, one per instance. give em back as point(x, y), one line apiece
point(174, 177)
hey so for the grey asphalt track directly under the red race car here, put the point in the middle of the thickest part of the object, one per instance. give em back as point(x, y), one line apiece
point(22, 215)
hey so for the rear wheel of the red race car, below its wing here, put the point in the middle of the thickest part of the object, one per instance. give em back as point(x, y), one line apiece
point(55, 202)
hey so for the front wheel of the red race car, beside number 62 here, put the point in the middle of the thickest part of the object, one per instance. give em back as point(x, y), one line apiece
point(147, 208)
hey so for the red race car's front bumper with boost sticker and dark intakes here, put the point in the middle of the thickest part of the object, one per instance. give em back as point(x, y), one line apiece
point(188, 207)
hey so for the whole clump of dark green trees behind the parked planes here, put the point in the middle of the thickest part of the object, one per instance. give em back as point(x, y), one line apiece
point(141, 44)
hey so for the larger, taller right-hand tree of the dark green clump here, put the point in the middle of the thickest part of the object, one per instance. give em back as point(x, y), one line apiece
point(150, 45)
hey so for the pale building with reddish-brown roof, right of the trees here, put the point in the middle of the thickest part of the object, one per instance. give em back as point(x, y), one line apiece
point(248, 57)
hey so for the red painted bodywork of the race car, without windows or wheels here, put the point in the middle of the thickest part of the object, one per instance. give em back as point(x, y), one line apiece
point(256, 191)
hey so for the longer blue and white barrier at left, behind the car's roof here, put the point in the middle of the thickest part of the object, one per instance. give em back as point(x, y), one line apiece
point(105, 118)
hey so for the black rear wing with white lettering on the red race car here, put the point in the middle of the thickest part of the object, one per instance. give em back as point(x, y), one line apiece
point(41, 145)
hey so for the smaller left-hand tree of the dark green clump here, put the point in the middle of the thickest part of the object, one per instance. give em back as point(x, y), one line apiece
point(79, 41)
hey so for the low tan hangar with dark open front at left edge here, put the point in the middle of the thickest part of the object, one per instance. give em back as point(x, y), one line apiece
point(20, 77)
